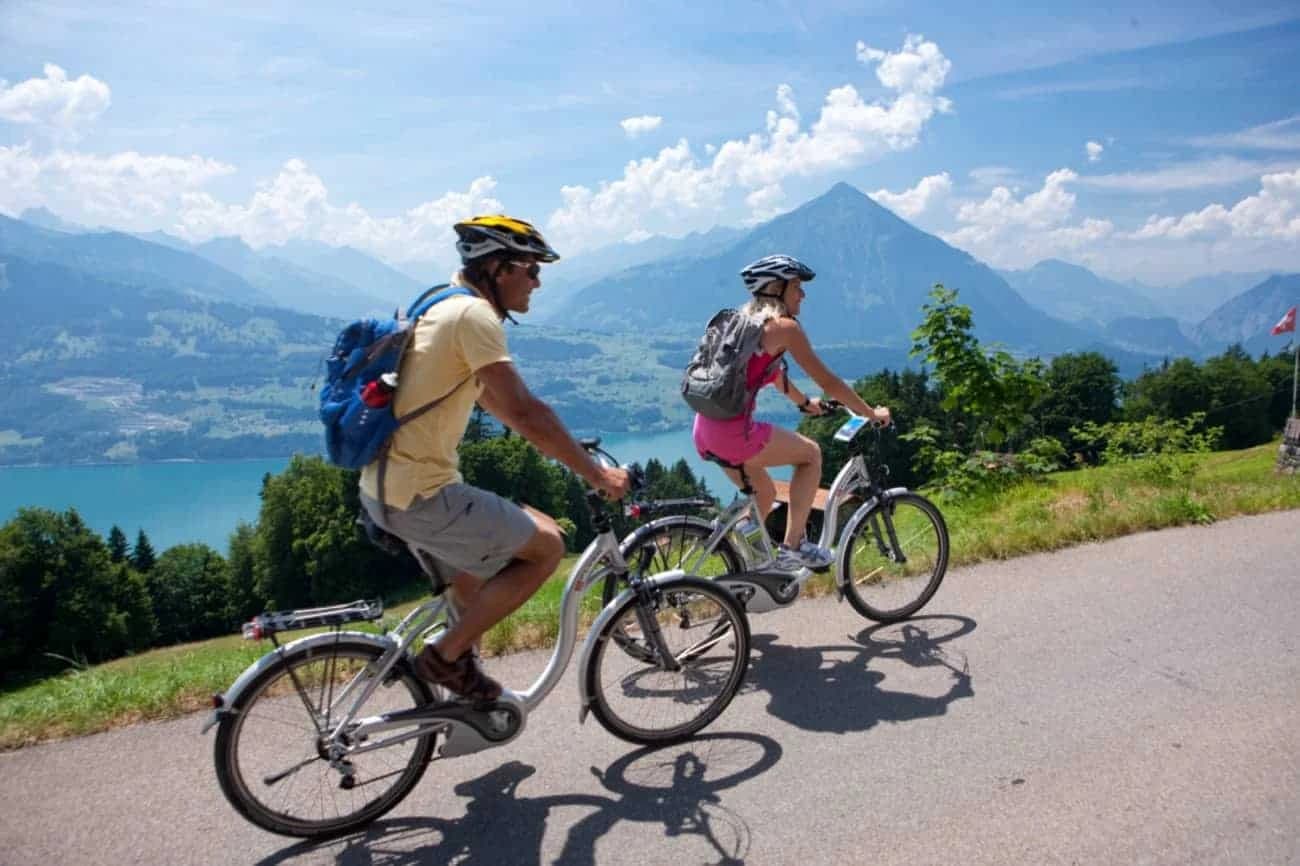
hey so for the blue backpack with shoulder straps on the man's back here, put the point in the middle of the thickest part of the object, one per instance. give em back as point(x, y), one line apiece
point(361, 382)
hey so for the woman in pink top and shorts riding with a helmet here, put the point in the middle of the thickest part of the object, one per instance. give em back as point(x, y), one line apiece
point(777, 285)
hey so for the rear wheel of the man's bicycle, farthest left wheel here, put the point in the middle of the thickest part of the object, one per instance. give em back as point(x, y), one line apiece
point(272, 752)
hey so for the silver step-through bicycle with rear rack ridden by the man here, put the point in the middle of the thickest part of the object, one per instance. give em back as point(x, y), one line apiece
point(331, 731)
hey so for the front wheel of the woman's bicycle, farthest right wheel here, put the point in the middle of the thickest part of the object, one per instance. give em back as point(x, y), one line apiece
point(895, 557)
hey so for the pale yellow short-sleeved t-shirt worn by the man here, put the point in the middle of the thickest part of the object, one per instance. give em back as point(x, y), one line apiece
point(456, 339)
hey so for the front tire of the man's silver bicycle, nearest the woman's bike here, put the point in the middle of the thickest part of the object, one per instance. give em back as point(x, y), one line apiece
point(686, 605)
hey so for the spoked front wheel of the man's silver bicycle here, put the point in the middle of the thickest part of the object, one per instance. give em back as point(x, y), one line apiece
point(694, 642)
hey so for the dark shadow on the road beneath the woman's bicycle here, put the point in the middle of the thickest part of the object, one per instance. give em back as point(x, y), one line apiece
point(835, 690)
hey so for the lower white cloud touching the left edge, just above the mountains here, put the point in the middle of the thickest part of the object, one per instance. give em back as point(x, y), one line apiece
point(131, 190)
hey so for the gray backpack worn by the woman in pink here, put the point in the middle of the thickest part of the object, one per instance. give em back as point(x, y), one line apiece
point(714, 384)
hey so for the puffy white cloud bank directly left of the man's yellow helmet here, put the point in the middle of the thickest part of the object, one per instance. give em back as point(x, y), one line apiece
point(296, 205)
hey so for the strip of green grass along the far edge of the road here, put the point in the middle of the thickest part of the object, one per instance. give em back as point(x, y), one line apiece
point(1065, 509)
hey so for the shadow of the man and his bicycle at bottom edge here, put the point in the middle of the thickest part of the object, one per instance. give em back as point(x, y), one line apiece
point(677, 787)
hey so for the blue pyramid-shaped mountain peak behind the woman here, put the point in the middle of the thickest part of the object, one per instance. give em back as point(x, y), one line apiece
point(876, 272)
